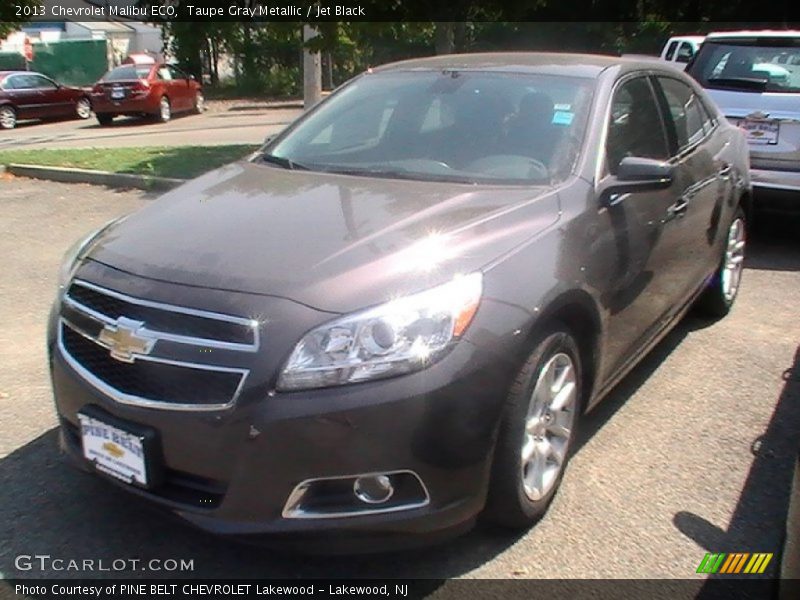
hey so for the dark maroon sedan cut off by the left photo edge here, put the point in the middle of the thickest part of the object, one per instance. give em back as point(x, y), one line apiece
point(29, 95)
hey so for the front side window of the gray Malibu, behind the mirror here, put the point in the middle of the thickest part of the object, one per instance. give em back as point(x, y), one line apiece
point(635, 127)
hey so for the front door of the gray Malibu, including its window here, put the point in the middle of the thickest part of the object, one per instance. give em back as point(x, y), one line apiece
point(644, 235)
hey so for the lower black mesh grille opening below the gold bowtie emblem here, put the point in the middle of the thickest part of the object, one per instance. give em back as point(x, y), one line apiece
point(151, 380)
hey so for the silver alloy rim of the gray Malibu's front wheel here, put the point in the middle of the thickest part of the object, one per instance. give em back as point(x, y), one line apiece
point(548, 426)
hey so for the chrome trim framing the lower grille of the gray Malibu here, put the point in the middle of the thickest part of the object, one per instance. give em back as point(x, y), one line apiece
point(133, 400)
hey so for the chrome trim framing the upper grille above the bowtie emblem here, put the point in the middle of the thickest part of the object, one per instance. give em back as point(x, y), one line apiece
point(172, 337)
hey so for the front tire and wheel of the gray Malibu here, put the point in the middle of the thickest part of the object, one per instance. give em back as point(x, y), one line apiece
point(535, 441)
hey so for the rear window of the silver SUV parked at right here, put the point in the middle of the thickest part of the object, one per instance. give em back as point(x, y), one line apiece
point(754, 65)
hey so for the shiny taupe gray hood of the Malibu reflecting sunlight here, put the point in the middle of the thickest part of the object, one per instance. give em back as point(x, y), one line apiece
point(333, 242)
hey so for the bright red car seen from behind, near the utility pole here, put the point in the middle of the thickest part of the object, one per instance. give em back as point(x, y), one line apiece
point(155, 89)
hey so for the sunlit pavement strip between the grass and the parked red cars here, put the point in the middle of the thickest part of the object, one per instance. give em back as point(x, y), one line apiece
point(224, 122)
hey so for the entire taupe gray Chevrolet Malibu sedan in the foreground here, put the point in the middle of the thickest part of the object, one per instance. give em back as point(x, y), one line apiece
point(390, 320)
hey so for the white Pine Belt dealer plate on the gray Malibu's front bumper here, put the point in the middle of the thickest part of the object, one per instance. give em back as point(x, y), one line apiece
point(113, 451)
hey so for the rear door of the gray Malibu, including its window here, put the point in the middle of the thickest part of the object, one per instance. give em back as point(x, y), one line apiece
point(701, 179)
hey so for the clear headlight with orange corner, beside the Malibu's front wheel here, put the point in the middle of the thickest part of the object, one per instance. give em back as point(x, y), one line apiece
point(398, 337)
